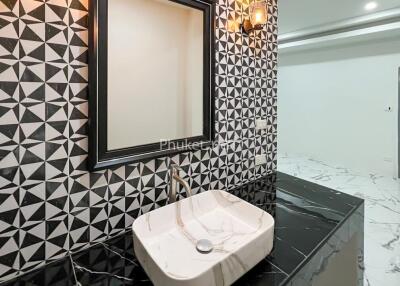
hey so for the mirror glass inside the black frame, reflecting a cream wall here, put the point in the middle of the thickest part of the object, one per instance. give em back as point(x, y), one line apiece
point(155, 72)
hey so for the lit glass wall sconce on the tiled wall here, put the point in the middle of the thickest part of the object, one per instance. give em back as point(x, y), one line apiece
point(258, 17)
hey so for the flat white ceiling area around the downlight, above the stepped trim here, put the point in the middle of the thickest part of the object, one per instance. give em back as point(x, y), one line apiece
point(296, 15)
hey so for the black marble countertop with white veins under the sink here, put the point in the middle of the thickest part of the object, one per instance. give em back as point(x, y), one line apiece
point(306, 217)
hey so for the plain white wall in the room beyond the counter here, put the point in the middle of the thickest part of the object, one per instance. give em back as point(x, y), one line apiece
point(331, 105)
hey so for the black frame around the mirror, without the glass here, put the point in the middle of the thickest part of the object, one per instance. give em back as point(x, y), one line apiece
point(99, 155)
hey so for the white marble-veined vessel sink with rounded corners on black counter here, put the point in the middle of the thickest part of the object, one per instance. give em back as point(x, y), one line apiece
point(212, 238)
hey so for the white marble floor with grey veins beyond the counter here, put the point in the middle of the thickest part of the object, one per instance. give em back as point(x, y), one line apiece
point(382, 212)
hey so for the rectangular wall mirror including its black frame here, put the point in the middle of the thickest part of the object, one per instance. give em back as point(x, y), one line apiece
point(151, 79)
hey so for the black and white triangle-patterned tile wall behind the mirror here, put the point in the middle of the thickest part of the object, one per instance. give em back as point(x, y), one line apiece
point(49, 203)
